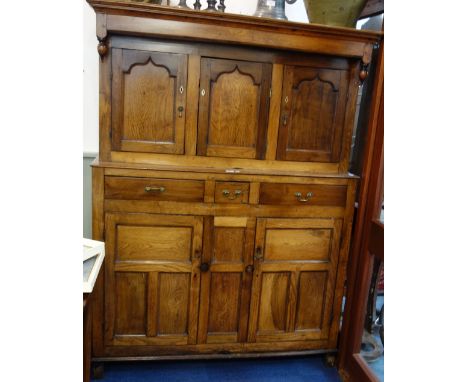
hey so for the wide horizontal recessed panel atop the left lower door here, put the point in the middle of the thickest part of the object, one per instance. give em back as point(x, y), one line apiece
point(153, 243)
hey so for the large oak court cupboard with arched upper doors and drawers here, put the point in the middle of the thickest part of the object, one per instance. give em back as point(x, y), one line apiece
point(221, 188)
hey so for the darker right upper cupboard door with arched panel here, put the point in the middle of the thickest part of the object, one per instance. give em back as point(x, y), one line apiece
point(312, 114)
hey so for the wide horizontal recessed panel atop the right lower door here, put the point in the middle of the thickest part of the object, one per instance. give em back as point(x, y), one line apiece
point(297, 244)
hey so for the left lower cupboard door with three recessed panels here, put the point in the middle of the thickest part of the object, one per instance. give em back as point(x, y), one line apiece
point(152, 279)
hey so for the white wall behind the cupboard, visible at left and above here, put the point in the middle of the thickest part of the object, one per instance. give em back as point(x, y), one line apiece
point(294, 12)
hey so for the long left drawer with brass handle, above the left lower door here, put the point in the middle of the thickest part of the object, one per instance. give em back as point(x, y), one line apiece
point(154, 189)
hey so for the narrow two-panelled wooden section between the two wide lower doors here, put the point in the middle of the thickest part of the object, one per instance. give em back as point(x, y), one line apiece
point(226, 279)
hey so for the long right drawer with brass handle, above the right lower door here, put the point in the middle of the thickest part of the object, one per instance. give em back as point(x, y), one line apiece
point(304, 194)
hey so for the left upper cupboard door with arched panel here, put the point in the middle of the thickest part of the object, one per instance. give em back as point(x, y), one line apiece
point(148, 101)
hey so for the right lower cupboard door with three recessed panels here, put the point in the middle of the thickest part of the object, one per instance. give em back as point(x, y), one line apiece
point(294, 279)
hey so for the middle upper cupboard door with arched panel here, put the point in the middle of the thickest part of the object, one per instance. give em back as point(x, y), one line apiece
point(233, 108)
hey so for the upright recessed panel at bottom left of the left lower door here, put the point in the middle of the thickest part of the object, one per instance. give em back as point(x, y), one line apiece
point(130, 303)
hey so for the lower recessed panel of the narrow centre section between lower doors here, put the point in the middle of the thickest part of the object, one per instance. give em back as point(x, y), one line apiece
point(224, 302)
